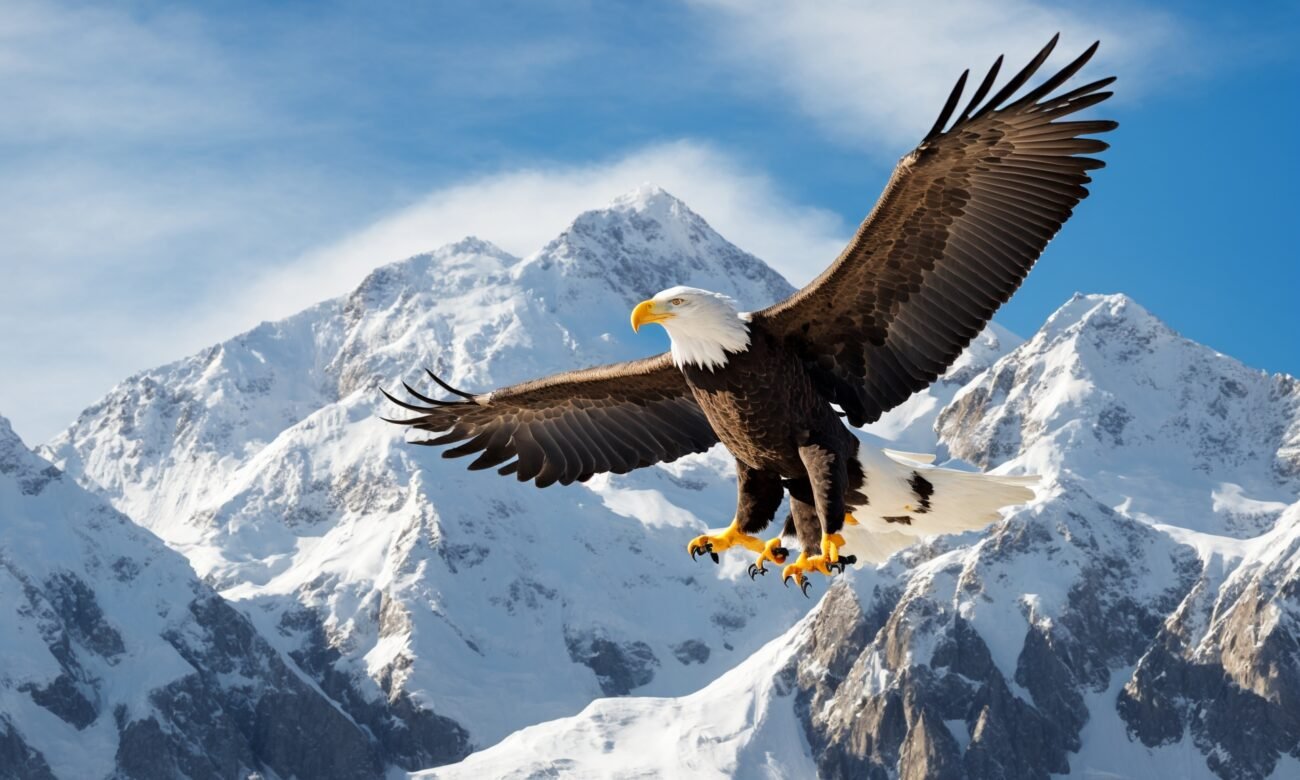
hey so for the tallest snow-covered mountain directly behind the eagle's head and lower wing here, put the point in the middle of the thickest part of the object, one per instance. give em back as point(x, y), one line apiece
point(396, 578)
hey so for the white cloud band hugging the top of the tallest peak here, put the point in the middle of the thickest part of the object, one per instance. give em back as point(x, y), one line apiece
point(522, 210)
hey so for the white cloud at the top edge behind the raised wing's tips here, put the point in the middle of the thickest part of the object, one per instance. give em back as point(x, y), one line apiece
point(882, 71)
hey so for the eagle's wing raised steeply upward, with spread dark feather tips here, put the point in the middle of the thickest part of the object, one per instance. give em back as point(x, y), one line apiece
point(957, 229)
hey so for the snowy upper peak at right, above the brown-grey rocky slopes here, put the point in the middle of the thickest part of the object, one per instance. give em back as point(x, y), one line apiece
point(1164, 430)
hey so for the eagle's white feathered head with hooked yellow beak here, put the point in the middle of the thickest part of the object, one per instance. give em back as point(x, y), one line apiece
point(705, 327)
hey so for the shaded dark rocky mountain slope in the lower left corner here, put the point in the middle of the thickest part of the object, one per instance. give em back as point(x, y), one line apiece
point(119, 662)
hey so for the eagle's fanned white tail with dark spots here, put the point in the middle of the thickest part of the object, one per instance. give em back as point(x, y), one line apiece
point(908, 499)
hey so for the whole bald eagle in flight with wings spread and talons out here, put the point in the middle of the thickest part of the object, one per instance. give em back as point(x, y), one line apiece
point(960, 224)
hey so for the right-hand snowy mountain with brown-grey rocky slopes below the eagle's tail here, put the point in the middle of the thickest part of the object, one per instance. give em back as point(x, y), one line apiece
point(1138, 621)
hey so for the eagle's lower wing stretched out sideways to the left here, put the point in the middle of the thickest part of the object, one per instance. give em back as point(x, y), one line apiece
point(569, 427)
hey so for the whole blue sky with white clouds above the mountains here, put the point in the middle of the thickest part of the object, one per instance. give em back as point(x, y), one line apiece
point(176, 174)
